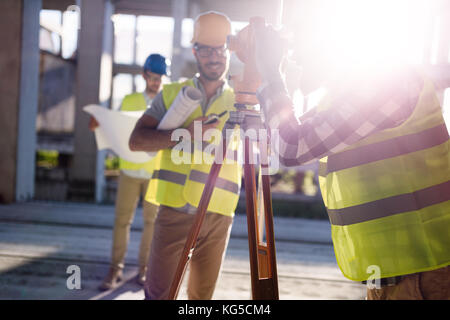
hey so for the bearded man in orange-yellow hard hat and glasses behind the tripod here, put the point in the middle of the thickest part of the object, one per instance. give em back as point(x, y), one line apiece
point(178, 187)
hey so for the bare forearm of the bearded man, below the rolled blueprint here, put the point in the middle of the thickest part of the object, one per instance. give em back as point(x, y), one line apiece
point(151, 140)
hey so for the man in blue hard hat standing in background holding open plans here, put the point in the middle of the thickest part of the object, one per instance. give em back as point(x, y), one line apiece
point(133, 182)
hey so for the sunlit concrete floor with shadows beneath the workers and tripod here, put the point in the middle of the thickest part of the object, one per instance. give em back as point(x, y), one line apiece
point(39, 241)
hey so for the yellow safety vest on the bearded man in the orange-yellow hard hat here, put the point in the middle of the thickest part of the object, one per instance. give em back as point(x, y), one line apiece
point(176, 185)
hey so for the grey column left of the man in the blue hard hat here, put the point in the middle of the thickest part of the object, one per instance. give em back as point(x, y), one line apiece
point(94, 73)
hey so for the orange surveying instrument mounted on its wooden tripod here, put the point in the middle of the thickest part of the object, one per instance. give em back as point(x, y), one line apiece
point(263, 267)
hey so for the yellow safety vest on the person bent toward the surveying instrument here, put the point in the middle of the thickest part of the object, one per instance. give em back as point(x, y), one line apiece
point(388, 196)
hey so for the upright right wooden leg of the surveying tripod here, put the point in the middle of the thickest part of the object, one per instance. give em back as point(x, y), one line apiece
point(262, 256)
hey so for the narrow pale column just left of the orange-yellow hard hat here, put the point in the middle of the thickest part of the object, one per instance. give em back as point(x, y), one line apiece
point(179, 12)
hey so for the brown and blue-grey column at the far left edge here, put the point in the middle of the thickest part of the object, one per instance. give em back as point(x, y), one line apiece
point(19, 83)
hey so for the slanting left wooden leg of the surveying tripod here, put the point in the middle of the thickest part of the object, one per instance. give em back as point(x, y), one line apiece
point(196, 225)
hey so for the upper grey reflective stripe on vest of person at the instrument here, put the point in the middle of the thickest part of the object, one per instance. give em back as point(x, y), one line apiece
point(387, 149)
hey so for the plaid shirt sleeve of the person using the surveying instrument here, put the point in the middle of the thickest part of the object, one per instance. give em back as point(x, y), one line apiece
point(358, 110)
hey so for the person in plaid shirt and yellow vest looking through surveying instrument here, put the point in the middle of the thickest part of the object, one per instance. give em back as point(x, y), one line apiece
point(384, 168)
